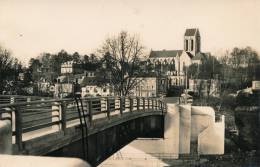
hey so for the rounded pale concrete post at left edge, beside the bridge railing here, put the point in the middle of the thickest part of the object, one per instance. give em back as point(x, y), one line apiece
point(5, 137)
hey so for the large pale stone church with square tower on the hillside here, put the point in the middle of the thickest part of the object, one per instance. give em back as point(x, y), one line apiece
point(173, 63)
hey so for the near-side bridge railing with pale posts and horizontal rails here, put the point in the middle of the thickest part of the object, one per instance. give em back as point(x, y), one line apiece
point(48, 116)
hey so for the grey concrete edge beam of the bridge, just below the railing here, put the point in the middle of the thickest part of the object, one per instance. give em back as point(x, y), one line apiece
point(53, 141)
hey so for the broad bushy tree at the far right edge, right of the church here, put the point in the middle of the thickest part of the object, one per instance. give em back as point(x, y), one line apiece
point(239, 68)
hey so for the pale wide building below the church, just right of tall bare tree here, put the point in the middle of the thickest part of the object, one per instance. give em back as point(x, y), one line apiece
point(150, 86)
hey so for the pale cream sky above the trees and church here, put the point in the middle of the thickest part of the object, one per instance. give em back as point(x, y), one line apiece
point(31, 27)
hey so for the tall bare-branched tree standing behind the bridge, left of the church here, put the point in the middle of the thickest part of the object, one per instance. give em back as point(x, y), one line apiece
point(122, 55)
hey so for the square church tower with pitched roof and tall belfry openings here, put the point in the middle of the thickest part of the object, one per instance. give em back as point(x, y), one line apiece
point(192, 41)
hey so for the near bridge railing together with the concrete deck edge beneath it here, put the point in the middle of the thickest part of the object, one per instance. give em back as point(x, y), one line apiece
point(42, 126)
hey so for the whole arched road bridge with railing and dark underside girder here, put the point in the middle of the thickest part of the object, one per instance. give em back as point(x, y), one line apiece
point(54, 128)
